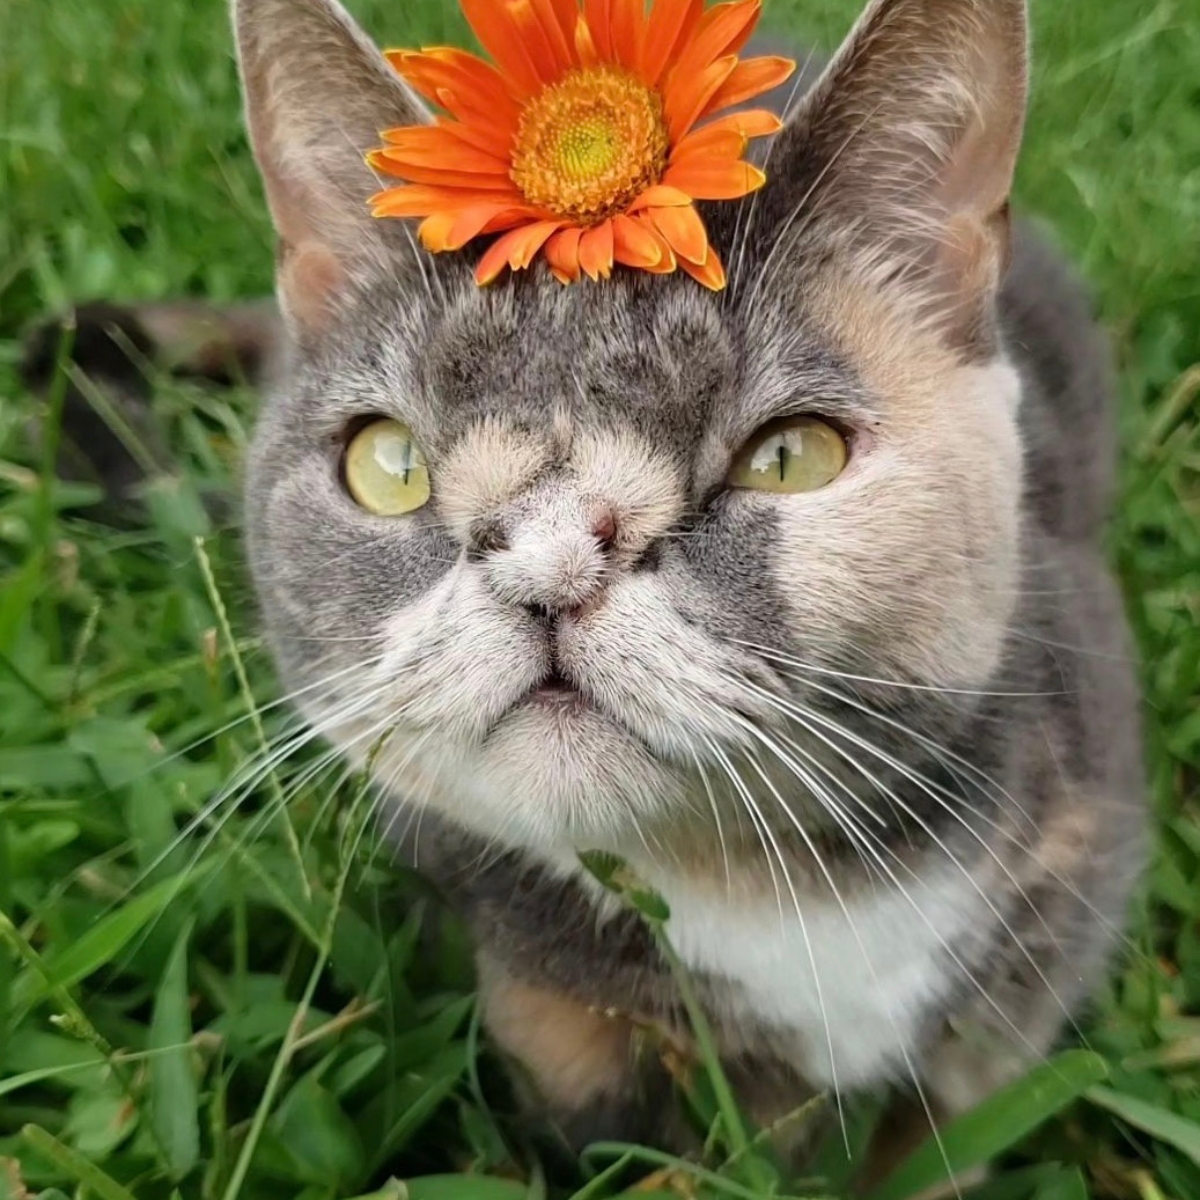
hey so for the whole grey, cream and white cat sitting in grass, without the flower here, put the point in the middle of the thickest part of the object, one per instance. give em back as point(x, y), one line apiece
point(877, 745)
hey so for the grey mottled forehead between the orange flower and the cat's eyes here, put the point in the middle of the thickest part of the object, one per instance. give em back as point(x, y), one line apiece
point(661, 358)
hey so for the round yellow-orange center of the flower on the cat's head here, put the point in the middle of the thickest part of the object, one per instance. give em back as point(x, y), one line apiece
point(590, 145)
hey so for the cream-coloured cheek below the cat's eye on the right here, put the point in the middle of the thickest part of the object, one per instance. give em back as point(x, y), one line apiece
point(884, 569)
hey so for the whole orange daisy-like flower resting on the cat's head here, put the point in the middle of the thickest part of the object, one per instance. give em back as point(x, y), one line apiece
point(586, 141)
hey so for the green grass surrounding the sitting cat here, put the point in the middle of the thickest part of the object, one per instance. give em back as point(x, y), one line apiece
point(268, 1010)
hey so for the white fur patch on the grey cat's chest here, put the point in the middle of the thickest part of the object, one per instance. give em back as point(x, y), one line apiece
point(851, 985)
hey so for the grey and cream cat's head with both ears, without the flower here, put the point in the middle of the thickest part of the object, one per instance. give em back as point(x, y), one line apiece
point(595, 632)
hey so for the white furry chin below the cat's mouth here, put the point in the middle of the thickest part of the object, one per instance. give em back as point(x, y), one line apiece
point(555, 775)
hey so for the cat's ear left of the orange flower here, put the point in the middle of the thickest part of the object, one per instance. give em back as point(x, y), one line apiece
point(317, 94)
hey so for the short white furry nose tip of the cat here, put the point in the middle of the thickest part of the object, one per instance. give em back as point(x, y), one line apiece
point(554, 566)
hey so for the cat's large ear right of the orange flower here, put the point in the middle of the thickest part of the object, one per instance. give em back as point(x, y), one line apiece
point(904, 152)
